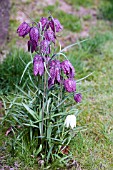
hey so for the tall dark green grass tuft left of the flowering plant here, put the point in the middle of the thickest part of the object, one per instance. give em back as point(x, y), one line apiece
point(11, 70)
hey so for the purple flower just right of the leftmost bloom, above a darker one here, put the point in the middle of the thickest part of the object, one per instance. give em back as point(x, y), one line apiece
point(34, 34)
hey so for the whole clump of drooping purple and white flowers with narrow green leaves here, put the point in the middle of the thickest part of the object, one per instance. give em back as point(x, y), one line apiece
point(42, 119)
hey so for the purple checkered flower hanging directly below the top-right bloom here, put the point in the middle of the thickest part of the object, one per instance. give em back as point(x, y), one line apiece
point(50, 35)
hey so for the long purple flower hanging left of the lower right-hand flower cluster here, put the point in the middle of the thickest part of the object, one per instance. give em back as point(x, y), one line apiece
point(38, 65)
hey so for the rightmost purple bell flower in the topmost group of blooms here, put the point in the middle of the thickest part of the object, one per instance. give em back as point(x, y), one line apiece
point(55, 25)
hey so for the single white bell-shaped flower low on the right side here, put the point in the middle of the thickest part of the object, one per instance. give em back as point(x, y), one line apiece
point(70, 121)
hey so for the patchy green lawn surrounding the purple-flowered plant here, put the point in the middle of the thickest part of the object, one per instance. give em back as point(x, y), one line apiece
point(92, 146)
